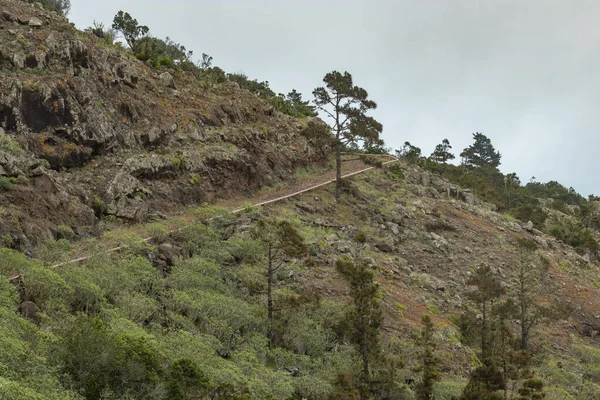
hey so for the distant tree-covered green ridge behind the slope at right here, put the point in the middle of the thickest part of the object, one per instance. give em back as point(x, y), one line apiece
point(479, 173)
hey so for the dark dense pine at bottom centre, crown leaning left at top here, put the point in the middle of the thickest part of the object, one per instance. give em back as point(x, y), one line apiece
point(365, 317)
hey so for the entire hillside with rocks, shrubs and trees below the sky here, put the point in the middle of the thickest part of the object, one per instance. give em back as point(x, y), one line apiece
point(418, 279)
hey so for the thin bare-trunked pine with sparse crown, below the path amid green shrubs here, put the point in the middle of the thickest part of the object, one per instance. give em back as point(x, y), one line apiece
point(281, 241)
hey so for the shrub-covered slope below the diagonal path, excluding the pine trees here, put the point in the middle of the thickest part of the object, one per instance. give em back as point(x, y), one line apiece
point(423, 236)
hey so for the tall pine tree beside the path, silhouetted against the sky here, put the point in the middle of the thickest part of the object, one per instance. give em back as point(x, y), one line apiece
point(347, 105)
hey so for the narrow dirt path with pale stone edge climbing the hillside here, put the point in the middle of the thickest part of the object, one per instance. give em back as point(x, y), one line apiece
point(350, 167)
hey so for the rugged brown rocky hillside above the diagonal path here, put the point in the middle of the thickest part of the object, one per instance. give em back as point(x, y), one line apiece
point(87, 130)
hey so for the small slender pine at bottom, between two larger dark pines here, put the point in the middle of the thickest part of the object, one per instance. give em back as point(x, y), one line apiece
point(429, 367)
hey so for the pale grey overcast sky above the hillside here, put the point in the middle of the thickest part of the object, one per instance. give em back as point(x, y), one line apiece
point(525, 73)
